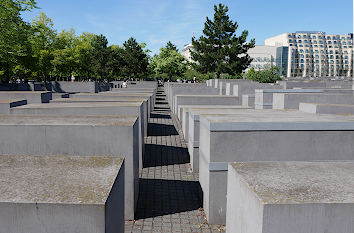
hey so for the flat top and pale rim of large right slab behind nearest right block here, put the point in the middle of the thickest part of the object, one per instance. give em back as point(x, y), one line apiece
point(251, 119)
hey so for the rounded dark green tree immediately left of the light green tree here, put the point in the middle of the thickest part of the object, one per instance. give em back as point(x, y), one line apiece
point(135, 60)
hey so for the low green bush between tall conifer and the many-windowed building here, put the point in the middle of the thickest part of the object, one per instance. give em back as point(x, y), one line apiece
point(270, 75)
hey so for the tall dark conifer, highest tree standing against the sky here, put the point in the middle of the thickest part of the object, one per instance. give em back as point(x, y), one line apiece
point(219, 50)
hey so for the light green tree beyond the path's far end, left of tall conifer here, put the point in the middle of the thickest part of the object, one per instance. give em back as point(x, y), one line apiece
point(169, 63)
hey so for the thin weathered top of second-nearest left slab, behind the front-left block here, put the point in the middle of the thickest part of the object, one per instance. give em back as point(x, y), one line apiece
point(67, 120)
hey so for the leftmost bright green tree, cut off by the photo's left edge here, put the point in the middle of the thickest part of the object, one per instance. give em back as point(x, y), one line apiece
point(14, 32)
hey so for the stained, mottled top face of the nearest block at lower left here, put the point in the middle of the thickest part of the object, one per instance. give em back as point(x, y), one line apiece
point(57, 179)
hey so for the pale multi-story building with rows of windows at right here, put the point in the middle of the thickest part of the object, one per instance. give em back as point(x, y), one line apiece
point(313, 54)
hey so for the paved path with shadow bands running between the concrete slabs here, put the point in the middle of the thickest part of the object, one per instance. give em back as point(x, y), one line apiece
point(170, 197)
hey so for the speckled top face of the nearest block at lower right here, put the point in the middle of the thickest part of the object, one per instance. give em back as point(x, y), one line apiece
point(299, 182)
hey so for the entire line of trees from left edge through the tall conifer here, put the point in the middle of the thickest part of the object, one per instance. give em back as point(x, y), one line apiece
point(38, 51)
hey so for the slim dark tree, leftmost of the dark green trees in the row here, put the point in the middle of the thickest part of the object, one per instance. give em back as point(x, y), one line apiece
point(100, 53)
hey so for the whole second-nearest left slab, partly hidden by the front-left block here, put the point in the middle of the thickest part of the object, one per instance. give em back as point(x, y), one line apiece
point(79, 136)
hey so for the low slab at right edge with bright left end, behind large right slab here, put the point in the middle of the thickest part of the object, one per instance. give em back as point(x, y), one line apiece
point(339, 109)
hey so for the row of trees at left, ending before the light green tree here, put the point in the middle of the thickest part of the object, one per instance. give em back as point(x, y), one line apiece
point(38, 51)
